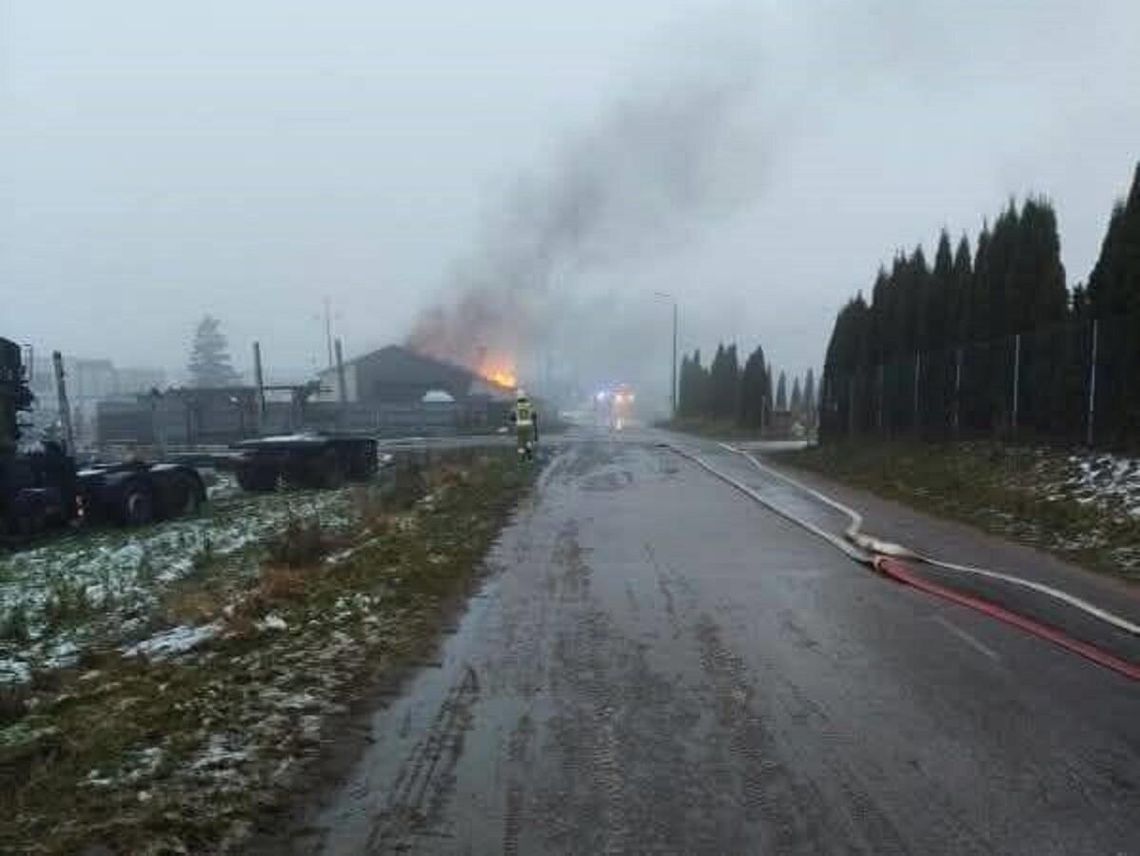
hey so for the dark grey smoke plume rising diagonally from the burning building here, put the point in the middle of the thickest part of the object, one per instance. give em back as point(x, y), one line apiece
point(639, 182)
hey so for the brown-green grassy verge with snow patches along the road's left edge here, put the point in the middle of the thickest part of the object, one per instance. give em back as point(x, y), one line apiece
point(198, 748)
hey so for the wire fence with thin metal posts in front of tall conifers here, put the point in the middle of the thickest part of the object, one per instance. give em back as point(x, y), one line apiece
point(1077, 382)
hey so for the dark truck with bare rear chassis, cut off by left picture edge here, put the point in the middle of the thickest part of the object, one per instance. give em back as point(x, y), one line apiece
point(43, 488)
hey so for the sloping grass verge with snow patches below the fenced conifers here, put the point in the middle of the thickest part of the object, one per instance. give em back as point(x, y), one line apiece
point(1033, 495)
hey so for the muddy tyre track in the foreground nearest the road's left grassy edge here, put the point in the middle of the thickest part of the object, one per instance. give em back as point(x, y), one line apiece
point(427, 776)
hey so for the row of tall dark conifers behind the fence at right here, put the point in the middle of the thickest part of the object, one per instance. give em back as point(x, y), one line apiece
point(978, 328)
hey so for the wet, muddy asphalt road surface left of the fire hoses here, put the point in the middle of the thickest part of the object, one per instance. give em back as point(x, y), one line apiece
point(658, 665)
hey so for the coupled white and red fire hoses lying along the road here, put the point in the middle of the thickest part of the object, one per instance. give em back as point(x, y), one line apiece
point(886, 558)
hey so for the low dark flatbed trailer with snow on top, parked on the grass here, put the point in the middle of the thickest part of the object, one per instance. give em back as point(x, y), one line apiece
point(304, 461)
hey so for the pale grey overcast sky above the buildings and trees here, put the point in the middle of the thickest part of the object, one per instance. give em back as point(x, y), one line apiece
point(160, 161)
